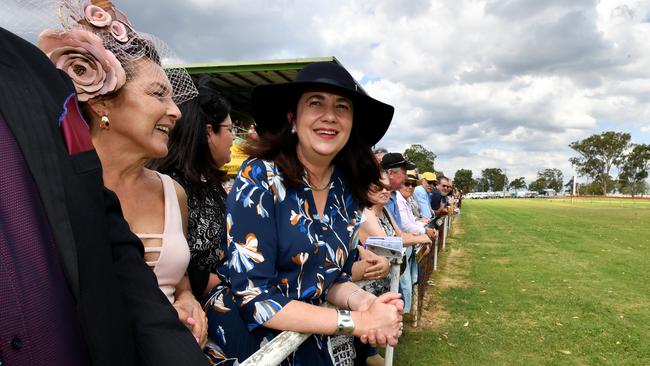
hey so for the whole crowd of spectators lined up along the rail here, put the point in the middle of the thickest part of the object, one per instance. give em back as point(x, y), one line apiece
point(212, 274)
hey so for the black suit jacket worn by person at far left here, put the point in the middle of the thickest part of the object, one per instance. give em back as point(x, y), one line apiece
point(125, 318)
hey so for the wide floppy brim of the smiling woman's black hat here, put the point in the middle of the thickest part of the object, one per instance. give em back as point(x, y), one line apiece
point(271, 102)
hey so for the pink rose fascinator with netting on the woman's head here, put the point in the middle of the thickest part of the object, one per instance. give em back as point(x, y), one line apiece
point(97, 47)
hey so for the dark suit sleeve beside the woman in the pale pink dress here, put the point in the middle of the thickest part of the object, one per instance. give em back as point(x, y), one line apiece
point(161, 339)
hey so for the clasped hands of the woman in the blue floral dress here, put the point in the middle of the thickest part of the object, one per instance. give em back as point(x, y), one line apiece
point(381, 324)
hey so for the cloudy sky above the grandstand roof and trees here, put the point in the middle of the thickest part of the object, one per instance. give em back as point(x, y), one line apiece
point(491, 83)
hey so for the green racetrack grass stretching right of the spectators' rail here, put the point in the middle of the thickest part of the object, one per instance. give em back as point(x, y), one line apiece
point(539, 282)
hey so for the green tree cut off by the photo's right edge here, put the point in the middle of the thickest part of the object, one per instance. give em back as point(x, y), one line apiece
point(634, 170)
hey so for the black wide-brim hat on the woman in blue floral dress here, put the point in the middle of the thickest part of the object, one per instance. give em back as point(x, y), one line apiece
point(271, 102)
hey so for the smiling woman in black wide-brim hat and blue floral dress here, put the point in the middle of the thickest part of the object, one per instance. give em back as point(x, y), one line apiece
point(294, 213)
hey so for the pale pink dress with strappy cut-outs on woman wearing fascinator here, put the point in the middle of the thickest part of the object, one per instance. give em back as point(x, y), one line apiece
point(174, 251)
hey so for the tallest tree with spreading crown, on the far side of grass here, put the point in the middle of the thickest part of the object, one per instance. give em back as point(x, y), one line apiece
point(599, 153)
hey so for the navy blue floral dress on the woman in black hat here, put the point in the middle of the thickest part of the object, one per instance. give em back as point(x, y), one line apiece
point(280, 250)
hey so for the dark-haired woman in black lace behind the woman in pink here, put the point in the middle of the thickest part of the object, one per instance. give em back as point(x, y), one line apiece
point(198, 147)
